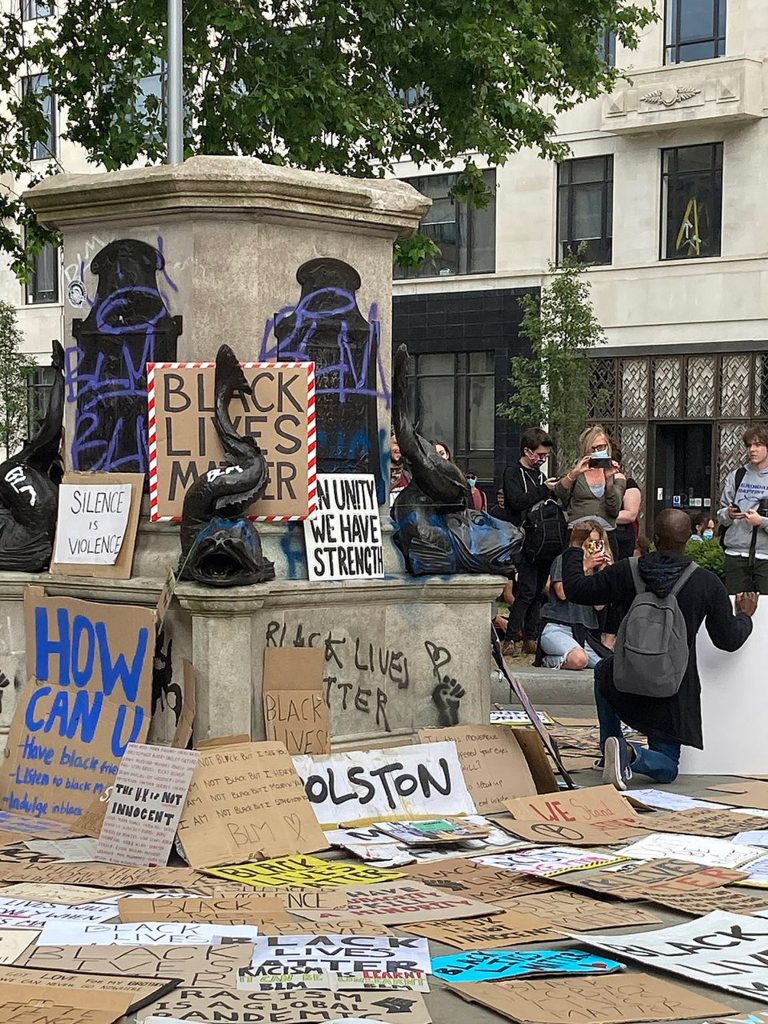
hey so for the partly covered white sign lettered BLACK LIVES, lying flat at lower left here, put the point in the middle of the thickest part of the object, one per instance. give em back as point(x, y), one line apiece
point(151, 934)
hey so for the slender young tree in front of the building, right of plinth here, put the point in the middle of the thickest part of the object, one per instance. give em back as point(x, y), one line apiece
point(552, 386)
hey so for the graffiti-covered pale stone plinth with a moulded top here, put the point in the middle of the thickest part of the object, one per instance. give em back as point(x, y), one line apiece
point(169, 263)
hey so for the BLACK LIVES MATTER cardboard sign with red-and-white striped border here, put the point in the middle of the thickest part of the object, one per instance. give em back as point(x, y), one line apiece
point(184, 444)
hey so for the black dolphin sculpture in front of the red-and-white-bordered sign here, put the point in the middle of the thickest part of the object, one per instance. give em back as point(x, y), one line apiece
point(221, 547)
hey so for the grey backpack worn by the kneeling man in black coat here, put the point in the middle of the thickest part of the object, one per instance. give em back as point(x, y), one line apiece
point(651, 656)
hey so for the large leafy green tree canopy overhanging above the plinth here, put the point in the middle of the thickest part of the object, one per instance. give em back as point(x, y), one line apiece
point(350, 88)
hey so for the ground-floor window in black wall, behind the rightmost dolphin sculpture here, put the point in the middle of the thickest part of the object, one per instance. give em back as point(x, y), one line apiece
point(453, 396)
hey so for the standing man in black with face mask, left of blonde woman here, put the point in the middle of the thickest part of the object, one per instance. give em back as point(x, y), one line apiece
point(525, 486)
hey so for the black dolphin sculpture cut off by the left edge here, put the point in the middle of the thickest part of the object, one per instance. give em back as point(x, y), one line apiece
point(29, 488)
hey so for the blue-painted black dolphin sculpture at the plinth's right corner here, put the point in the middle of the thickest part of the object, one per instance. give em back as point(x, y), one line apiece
point(435, 529)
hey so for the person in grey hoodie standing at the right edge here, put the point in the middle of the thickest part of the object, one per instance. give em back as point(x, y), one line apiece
point(744, 517)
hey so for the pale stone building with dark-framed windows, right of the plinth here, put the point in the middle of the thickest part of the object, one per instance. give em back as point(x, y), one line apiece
point(666, 193)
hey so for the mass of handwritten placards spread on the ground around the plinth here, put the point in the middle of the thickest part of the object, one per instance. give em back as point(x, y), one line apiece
point(247, 882)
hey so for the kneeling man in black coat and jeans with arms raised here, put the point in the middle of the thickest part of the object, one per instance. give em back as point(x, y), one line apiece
point(672, 722)
